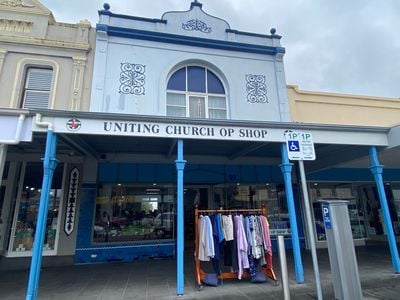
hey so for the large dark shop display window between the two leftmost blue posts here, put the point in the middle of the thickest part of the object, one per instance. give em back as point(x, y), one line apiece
point(130, 213)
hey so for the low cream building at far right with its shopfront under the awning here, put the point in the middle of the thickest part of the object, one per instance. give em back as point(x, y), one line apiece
point(350, 179)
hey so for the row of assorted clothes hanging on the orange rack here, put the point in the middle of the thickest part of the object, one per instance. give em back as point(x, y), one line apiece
point(247, 242)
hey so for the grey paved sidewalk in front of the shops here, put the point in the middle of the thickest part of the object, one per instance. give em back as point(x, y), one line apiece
point(156, 279)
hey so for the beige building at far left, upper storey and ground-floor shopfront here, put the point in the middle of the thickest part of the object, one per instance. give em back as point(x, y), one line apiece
point(44, 65)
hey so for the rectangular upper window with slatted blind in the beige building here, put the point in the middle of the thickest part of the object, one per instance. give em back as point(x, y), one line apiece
point(37, 88)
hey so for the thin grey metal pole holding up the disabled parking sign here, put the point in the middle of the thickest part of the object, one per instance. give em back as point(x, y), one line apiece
point(310, 230)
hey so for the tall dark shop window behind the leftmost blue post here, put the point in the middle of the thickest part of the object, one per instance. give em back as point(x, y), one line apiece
point(27, 207)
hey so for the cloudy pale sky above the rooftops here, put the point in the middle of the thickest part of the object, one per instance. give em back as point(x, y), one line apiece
point(341, 46)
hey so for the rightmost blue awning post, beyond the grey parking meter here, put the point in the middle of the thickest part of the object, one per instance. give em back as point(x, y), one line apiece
point(377, 170)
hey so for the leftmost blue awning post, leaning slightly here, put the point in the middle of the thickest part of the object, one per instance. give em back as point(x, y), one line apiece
point(49, 165)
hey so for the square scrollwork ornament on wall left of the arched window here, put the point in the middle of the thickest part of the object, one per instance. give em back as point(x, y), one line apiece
point(132, 79)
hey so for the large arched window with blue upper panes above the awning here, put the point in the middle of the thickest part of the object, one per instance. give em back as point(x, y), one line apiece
point(196, 92)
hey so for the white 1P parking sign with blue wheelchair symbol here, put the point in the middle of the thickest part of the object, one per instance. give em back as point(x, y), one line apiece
point(300, 145)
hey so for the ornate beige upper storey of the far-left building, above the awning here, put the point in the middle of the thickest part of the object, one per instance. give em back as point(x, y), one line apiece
point(43, 63)
